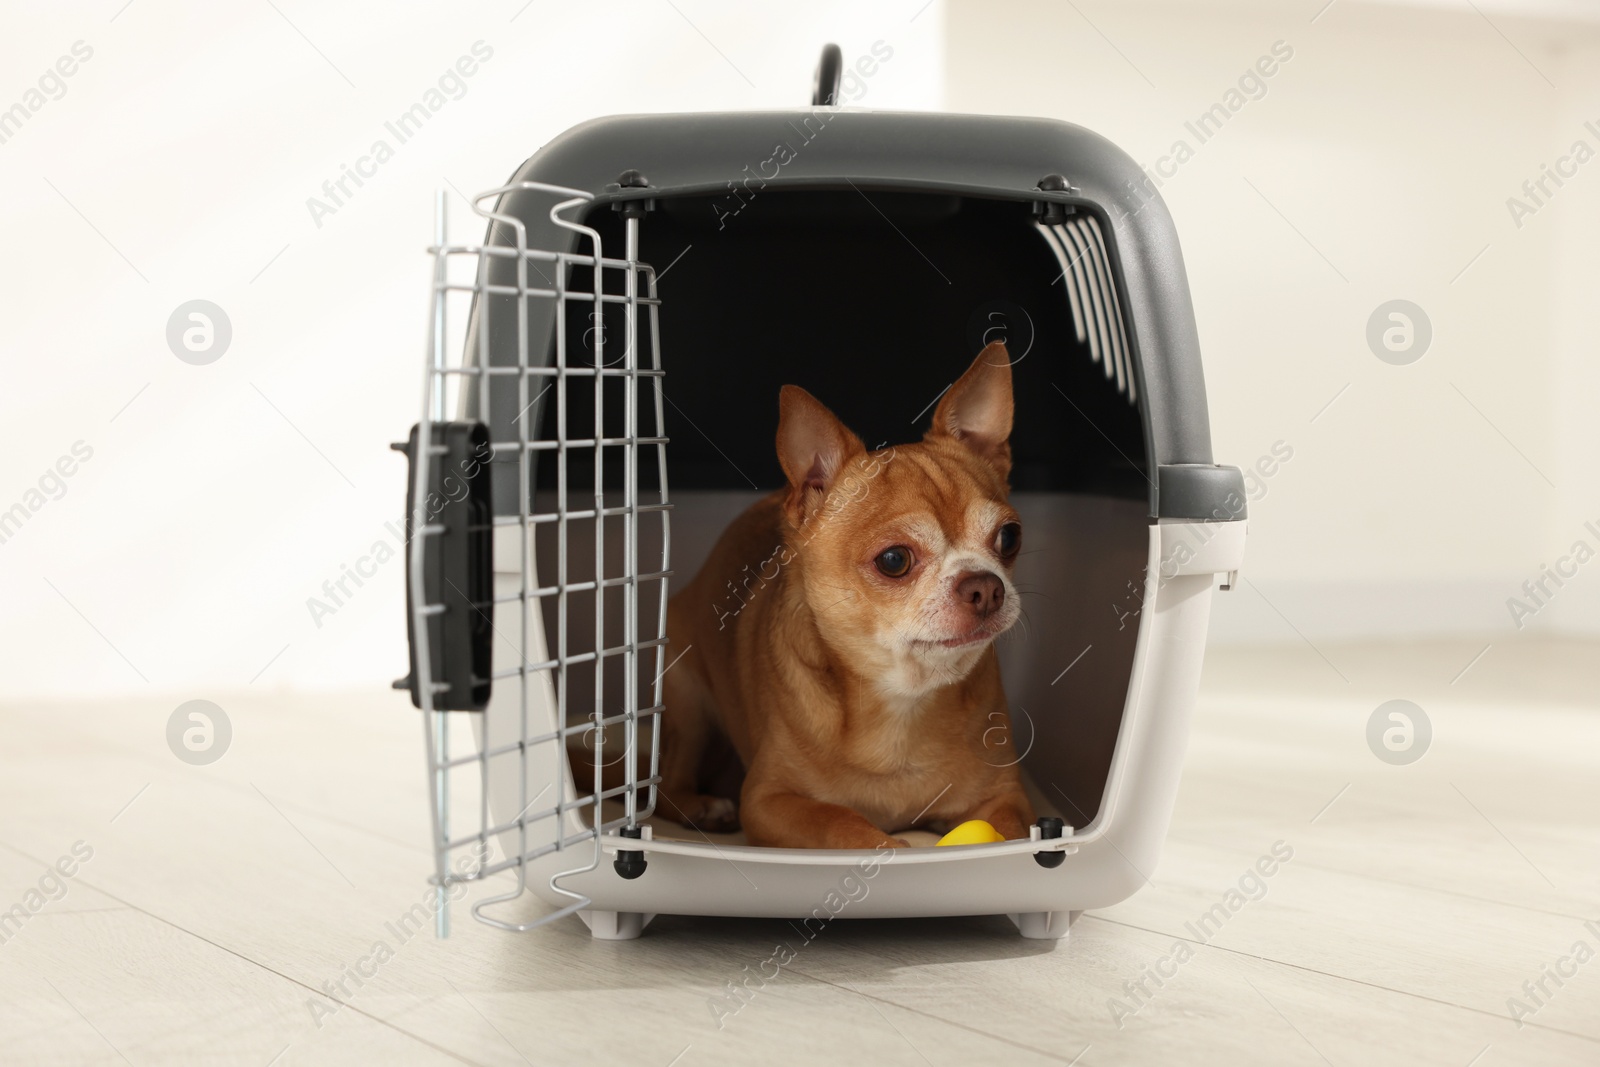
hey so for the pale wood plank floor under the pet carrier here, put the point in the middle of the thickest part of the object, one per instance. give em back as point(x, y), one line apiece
point(1420, 898)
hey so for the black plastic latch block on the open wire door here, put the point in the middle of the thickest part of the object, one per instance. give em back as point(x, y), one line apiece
point(454, 530)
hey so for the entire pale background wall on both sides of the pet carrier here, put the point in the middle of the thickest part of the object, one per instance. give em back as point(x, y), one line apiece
point(193, 138)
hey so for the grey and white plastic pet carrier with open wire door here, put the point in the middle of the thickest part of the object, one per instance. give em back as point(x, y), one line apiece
point(646, 287)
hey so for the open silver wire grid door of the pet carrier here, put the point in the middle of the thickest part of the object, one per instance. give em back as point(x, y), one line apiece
point(534, 777)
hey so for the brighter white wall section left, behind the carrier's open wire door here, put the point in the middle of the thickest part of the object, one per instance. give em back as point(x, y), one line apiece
point(191, 142)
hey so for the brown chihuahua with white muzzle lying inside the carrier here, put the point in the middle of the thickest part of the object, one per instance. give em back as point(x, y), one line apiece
point(841, 636)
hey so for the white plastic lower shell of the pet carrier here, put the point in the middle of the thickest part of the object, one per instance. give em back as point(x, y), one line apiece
point(698, 874)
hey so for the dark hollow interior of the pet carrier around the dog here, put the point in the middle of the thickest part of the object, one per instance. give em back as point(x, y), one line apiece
point(876, 302)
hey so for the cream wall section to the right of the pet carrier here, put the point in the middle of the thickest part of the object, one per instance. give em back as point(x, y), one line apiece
point(1391, 142)
